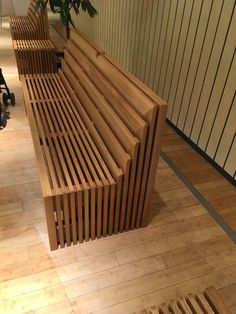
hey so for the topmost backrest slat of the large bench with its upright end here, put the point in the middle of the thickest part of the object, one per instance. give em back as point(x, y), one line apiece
point(149, 107)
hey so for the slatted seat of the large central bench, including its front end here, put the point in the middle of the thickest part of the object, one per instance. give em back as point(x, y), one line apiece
point(78, 189)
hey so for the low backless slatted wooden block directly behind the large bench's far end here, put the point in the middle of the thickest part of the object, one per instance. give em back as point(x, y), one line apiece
point(34, 56)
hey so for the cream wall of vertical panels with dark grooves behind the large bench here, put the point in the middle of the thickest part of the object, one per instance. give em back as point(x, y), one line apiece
point(185, 51)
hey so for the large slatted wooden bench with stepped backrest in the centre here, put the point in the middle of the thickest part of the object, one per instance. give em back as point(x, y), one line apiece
point(95, 128)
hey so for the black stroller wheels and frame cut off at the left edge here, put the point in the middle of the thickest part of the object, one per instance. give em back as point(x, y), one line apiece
point(8, 98)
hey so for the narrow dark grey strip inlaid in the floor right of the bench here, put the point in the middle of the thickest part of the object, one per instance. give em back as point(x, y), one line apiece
point(231, 233)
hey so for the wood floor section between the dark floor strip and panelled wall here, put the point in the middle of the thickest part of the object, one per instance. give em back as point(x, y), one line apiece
point(217, 190)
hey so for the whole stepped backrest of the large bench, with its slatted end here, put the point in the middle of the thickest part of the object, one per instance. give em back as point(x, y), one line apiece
point(130, 111)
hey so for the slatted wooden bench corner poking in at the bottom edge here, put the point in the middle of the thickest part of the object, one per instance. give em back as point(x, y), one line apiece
point(207, 302)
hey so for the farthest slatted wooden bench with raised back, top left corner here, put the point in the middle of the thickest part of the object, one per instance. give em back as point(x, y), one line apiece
point(32, 26)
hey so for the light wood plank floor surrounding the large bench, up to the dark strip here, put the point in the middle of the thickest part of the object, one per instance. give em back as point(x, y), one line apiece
point(182, 250)
